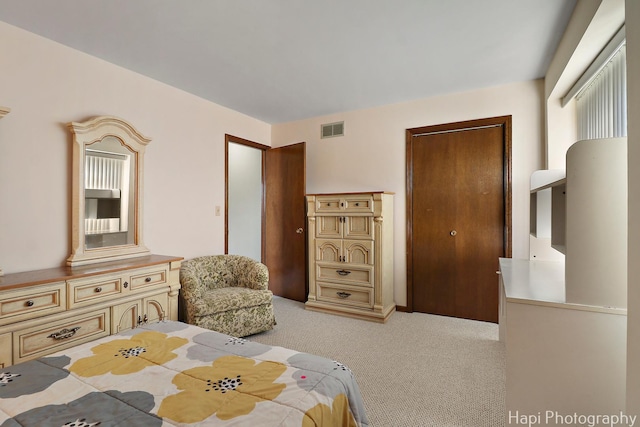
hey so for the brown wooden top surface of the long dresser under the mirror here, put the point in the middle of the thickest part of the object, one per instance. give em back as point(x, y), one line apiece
point(62, 273)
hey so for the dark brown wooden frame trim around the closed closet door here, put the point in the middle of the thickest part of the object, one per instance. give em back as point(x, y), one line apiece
point(501, 121)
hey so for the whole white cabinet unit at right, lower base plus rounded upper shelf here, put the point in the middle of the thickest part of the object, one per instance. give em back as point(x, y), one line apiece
point(564, 321)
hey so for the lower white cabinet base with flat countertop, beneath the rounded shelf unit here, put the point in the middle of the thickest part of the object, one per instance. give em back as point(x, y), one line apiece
point(563, 357)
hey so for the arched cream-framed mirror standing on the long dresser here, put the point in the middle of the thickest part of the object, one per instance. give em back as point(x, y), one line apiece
point(108, 158)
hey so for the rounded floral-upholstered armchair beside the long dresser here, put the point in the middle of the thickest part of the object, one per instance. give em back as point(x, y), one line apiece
point(227, 293)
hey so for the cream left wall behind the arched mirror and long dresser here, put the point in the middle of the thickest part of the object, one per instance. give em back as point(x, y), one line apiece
point(47, 85)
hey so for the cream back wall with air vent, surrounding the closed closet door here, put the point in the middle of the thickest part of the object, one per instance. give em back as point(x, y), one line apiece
point(371, 155)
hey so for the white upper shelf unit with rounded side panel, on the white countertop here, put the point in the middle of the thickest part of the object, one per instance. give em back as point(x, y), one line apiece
point(584, 216)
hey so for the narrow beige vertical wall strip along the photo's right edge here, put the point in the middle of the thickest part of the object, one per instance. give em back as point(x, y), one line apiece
point(633, 295)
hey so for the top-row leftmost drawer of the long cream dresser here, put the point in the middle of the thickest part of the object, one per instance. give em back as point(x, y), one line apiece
point(25, 303)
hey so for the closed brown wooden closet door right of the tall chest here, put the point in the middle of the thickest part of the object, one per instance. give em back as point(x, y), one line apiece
point(459, 216)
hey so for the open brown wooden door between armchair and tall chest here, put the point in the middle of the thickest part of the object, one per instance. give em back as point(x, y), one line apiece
point(285, 223)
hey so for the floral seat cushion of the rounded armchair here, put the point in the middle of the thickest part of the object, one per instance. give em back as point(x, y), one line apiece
point(225, 299)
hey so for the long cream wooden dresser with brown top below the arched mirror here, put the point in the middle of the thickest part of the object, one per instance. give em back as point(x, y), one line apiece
point(45, 311)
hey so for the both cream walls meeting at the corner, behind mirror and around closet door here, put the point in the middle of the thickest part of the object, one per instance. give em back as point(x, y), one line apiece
point(48, 85)
